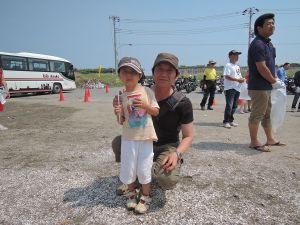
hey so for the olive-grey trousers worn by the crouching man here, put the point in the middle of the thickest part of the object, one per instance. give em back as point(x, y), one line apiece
point(166, 180)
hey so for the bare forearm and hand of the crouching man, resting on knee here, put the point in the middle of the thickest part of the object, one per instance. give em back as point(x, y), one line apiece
point(170, 161)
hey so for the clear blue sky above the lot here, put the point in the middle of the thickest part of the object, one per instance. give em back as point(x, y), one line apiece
point(194, 30)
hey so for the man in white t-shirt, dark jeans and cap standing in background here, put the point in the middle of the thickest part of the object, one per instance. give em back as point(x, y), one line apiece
point(232, 85)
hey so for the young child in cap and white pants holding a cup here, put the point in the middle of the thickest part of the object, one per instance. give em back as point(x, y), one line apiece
point(136, 106)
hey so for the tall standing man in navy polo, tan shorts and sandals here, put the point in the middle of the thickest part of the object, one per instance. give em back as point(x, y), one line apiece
point(262, 79)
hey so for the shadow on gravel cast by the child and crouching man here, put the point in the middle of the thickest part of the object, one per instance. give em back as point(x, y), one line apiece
point(103, 191)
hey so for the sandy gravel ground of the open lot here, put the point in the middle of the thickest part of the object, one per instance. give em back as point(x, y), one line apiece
point(57, 167)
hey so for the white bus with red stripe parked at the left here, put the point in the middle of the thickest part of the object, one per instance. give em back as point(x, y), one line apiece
point(28, 73)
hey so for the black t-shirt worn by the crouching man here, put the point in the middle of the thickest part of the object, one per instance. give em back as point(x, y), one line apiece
point(168, 126)
